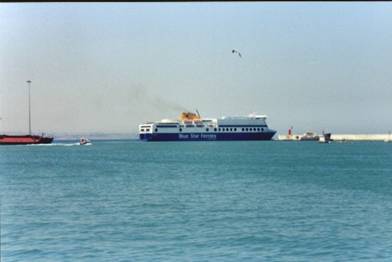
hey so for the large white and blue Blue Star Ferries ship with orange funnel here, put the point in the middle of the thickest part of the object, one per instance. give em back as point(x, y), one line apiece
point(191, 127)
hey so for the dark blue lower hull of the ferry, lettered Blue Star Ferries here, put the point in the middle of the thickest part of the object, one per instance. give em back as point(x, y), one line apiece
point(206, 136)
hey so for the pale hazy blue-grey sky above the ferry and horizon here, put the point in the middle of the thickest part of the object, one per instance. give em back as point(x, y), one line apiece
point(108, 67)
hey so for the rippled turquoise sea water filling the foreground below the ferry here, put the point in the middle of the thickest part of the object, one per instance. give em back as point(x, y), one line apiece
point(196, 201)
